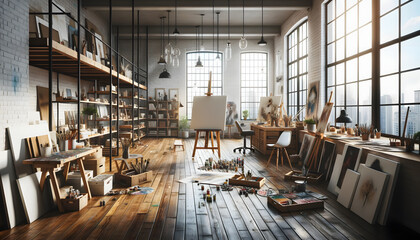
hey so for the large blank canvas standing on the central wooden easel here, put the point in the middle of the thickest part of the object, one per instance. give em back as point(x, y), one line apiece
point(209, 112)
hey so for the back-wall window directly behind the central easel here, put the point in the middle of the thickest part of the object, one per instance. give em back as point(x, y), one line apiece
point(197, 77)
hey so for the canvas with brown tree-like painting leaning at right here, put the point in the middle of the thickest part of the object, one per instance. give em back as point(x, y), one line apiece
point(369, 193)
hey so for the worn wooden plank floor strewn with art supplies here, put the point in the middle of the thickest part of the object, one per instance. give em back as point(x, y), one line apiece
point(172, 210)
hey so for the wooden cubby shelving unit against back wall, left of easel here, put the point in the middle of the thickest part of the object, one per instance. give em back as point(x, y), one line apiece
point(163, 118)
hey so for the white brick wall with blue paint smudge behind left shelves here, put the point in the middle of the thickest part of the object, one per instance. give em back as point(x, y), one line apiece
point(18, 80)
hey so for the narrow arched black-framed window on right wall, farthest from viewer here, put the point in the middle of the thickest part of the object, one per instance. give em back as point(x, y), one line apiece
point(297, 73)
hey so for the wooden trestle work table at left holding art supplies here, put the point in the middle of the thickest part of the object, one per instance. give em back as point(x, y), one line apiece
point(57, 160)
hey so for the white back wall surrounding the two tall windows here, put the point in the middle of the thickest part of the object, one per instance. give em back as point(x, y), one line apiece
point(231, 84)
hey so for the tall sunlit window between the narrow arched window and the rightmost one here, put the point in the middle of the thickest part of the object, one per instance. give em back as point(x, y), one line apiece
point(349, 58)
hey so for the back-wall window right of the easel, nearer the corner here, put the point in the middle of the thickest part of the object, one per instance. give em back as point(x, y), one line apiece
point(254, 77)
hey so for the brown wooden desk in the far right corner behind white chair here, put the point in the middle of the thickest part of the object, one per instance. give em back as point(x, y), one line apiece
point(268, 135)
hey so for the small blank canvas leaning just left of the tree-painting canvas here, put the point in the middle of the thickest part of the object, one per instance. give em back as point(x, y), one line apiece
point(345, 197)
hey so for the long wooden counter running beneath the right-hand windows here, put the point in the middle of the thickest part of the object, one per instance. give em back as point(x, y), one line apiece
point(404, 207)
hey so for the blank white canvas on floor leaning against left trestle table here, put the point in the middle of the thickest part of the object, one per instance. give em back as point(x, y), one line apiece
point(35, 202)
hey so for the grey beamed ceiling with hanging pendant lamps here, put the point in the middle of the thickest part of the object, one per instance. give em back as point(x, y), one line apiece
point(188, 14)
